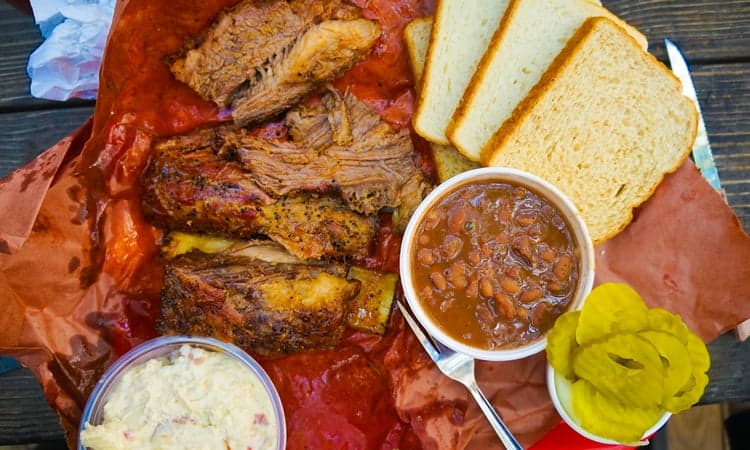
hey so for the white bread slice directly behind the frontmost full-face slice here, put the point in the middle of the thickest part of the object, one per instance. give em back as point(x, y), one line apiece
point(531, 35)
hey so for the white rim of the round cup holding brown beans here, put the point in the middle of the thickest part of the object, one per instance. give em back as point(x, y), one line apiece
point(498, 174)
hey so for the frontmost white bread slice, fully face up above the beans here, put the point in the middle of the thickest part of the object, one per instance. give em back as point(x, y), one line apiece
point(605, 124)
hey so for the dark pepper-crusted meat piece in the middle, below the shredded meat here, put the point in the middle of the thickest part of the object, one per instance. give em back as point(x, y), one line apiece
point(188, 187)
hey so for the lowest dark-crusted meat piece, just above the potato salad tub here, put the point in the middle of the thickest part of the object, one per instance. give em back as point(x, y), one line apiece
point(270, 308)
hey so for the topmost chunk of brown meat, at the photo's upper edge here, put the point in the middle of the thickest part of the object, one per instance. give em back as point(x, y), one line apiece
point(261, 57)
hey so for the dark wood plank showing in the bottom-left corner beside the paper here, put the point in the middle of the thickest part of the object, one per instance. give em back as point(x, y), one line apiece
point(25, 415)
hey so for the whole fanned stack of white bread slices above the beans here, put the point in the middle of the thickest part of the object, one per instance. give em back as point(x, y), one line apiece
point(560, 88)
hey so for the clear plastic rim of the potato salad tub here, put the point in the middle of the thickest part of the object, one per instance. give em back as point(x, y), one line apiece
point(118, 368)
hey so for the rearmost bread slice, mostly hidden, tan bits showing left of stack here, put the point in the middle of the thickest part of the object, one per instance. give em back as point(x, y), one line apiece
point(448, 162)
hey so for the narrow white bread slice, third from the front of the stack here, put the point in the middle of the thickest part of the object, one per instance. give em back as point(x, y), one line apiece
point(461, 32)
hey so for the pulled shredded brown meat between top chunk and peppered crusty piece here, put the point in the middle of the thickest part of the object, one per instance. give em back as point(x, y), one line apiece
point(340, 145)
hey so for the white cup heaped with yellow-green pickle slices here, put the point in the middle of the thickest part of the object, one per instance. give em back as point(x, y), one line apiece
point(618, 370)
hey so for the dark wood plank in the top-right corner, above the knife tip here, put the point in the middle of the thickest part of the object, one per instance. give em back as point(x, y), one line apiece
point(707, 30)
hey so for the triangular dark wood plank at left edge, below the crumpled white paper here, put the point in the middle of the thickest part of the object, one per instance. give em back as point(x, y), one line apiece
point(23, 135)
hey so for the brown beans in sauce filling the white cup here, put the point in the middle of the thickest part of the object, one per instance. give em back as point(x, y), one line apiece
point(494, 264)
